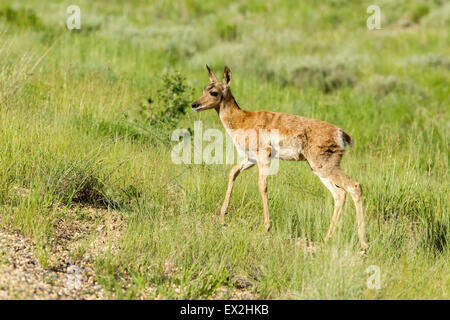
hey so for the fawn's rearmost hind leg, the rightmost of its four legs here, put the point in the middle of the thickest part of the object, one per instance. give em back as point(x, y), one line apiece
point(340, 179)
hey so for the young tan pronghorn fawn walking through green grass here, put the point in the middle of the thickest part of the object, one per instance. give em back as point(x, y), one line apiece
point(319, 143)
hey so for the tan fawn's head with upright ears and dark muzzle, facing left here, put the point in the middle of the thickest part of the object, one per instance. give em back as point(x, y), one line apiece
point(213, 93)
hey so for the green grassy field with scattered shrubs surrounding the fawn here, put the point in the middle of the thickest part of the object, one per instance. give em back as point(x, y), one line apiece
point(86, 118)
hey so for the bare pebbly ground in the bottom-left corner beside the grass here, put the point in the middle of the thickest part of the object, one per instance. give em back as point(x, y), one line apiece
point(22, 277)
